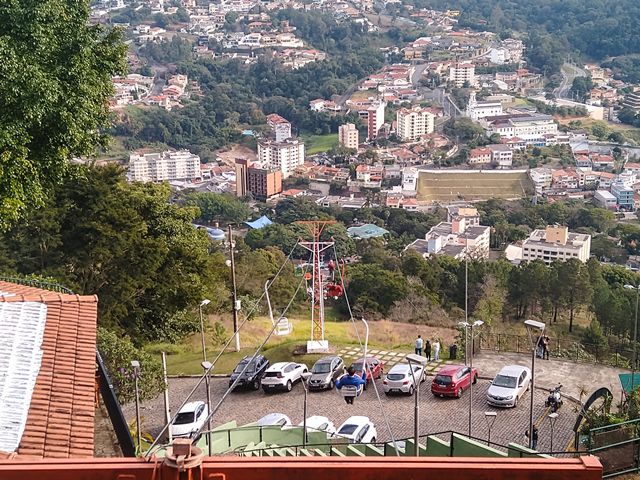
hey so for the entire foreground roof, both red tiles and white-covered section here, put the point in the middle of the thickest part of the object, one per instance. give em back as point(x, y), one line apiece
point(47, 373)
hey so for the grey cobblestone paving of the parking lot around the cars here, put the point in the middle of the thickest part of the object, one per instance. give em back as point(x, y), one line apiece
point(436, 414)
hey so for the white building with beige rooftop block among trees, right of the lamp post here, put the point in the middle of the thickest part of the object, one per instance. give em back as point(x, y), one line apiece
point(556, 243)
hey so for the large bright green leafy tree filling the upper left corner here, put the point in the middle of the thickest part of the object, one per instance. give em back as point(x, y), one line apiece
point(55, 78)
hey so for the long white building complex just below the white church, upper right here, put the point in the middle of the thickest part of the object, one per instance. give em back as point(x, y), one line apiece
point(531, 128)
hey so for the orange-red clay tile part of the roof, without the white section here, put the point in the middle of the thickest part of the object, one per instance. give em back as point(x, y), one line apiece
point(61, 414)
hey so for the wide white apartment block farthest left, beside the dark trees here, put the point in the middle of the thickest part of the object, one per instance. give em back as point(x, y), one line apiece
point(164, 166)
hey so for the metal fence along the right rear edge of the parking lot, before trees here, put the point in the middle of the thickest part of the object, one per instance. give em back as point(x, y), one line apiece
point(617, 355)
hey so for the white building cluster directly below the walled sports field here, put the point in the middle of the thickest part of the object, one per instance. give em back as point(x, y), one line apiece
point(459, 238)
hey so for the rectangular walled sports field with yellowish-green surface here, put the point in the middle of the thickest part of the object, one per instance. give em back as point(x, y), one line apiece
point(444, 186)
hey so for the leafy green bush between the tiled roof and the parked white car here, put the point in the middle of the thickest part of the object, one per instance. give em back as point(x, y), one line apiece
point(117, 353)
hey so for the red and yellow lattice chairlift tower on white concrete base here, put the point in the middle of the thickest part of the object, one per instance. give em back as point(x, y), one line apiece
point(317, 343)
